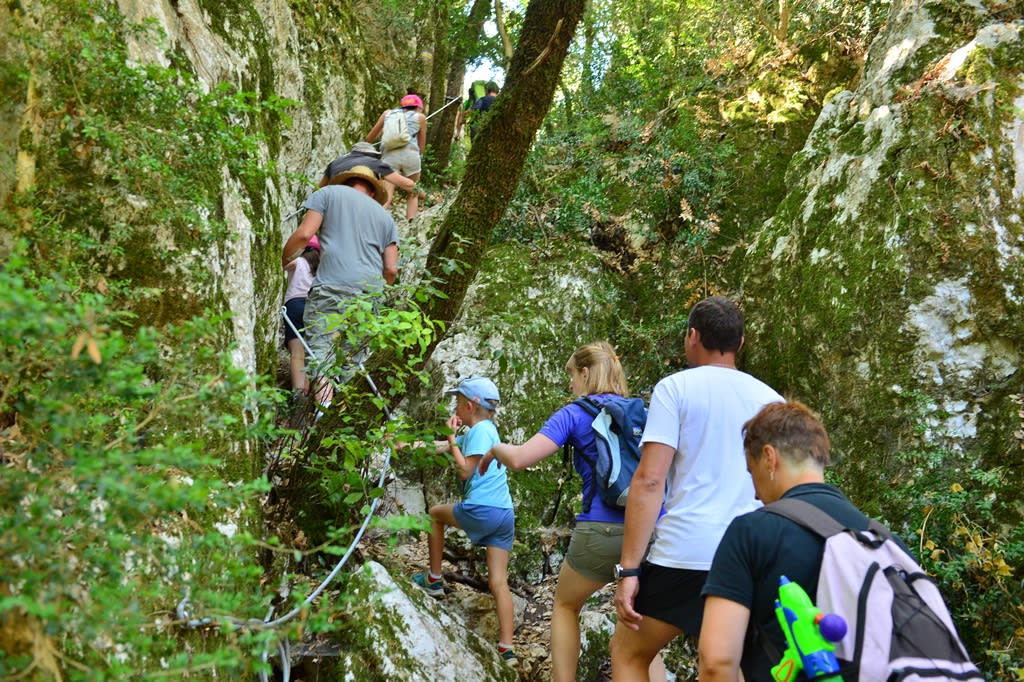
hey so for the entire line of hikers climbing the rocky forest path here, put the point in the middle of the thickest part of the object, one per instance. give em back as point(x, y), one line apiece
point(709, 511)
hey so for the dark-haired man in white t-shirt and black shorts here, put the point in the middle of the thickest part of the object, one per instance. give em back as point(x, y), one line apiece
point(693, 455)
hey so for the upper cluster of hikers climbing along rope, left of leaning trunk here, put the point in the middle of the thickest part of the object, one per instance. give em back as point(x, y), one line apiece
point(347, 244)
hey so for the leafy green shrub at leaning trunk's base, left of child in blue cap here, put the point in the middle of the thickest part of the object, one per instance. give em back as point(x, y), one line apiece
point(330, 470)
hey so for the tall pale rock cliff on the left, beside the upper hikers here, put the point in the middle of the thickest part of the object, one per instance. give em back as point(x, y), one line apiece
point(326, 69)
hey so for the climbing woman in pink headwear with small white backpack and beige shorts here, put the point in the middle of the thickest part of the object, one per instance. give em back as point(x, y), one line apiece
point(403, 134)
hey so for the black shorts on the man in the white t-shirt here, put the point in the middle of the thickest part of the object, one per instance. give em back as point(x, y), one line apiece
point(672, 595)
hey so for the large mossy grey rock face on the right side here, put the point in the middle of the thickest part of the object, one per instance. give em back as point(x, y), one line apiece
point(888, 288)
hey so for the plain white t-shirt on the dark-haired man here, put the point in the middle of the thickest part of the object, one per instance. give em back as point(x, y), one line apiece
point(701, 412)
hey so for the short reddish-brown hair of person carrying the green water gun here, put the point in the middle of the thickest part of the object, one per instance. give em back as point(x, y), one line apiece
point(792, 429)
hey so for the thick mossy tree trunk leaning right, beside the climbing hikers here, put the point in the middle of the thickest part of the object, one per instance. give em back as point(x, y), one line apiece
point(500, 150)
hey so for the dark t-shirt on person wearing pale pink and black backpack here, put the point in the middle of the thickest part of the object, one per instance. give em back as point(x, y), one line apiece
point(760, 547)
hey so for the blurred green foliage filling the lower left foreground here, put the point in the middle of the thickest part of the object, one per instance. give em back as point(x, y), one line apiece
point(117, 457)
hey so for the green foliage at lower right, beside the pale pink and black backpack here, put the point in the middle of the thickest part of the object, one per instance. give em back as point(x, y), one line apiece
point(959, 518)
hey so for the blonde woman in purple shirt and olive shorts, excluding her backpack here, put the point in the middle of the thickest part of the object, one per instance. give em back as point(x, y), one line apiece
point(595, 373)
